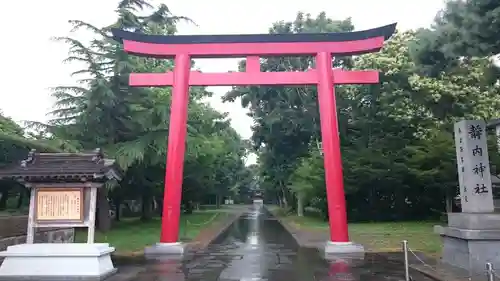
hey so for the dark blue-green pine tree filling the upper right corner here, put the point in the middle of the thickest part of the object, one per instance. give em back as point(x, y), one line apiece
point(462, 29)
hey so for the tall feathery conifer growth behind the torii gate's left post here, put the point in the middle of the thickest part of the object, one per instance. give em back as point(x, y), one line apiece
point(131, 124)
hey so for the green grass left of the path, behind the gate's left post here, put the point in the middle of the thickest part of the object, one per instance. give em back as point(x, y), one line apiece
point(133, 235)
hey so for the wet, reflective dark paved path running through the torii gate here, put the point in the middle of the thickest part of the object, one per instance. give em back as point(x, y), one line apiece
point(257, 247)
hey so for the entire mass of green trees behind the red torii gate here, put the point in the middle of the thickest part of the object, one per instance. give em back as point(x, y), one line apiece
point(396, 136)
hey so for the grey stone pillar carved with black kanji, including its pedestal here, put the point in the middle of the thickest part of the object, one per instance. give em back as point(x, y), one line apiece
point(472, 237)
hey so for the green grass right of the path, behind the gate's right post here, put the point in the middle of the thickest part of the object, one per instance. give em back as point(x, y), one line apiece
point(383, 236)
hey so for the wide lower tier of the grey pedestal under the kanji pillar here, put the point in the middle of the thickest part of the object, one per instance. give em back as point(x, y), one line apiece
point(470, 249)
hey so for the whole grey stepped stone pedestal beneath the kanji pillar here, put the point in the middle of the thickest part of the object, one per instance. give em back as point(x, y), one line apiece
point(471, 240)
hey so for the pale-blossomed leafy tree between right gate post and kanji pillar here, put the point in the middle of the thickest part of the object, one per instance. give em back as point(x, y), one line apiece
point(410, 114)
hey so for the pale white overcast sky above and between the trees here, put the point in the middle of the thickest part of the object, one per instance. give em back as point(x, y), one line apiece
point(31, 63)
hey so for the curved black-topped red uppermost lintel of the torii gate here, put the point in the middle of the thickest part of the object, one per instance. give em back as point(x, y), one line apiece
point(213, 46)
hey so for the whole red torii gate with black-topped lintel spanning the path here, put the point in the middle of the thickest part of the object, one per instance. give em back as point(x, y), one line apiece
point(183, 48)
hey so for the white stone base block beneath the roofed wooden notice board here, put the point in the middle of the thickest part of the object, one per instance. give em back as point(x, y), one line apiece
point(51, 261)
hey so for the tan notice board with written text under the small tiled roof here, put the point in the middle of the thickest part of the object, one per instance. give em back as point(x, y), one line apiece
point(59, 205)
